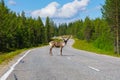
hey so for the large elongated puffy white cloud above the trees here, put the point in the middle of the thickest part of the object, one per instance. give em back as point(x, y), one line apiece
point(68, 10)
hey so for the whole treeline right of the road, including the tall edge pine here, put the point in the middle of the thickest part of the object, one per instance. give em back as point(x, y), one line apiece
point(103, 33)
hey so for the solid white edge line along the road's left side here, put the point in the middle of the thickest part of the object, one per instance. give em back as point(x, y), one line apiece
point(4, 77)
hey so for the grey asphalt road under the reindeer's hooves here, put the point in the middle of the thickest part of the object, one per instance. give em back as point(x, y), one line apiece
point(73, 65)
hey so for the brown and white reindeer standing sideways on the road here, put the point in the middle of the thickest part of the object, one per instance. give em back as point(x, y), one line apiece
point(58, 44)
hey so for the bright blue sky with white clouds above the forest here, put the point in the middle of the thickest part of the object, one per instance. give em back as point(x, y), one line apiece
point(59, 10)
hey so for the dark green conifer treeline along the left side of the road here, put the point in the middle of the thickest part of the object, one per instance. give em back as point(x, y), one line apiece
point(18, 31)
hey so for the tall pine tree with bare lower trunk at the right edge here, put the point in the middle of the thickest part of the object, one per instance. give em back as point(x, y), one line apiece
point(111, 12)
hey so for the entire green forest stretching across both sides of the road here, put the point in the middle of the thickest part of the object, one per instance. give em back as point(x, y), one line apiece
point(18, 31)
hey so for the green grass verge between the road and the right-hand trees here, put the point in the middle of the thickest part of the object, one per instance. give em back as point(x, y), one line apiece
point(84, 45)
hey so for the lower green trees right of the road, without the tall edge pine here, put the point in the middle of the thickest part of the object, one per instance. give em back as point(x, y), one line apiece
point(95, 31)
